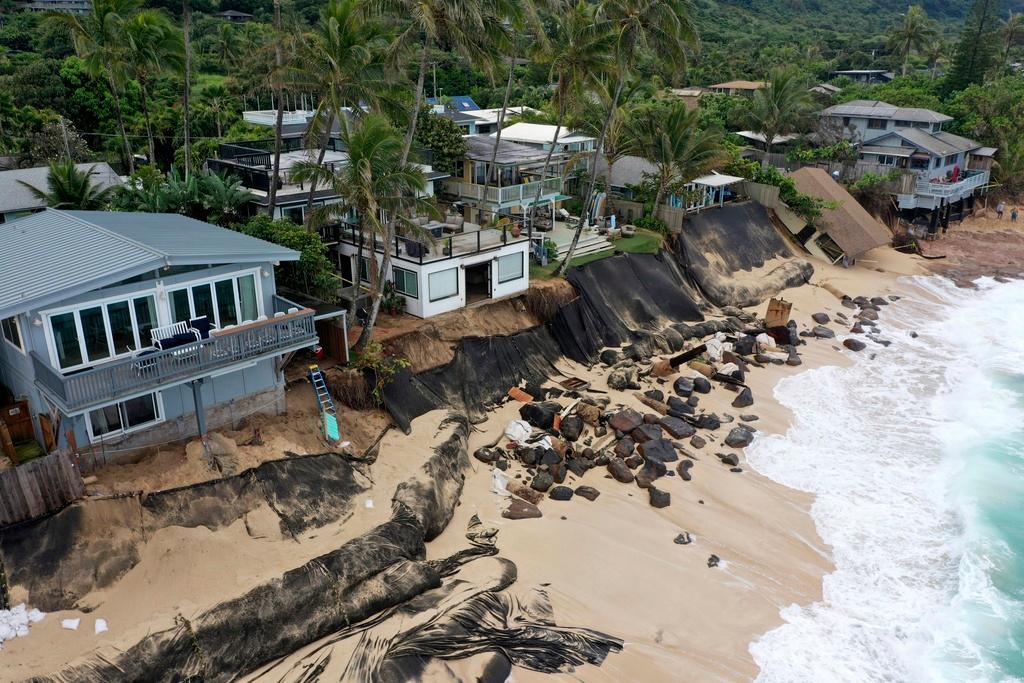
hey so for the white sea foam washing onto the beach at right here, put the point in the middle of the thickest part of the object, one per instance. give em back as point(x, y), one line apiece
point(882, 445)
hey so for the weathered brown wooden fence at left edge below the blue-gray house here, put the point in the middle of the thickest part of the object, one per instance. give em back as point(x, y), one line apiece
point(38, 487)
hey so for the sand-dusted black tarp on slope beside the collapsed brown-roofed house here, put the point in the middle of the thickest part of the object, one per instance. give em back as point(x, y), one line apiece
point(716, 247)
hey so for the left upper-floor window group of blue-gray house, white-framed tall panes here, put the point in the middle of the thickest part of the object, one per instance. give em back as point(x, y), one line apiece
point(103, 331)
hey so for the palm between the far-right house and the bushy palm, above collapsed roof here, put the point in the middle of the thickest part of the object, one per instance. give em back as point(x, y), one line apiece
point(782, 107)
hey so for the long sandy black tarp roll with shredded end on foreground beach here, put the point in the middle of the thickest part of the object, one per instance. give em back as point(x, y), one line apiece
point(364, 581)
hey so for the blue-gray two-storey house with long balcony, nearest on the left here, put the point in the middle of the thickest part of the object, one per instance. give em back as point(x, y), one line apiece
point(141, 328)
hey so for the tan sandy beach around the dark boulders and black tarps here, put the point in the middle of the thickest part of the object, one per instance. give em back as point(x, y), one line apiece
point(611, 565)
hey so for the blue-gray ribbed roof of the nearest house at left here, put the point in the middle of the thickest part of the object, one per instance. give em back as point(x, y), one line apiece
point(54, 255)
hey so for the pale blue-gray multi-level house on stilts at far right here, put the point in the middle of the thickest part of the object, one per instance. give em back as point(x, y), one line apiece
point(937, 168)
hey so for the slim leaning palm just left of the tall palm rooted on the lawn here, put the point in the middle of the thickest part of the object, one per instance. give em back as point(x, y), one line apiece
point(576, 54)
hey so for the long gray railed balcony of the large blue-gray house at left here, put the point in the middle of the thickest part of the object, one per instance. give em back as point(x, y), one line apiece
point(127, 377)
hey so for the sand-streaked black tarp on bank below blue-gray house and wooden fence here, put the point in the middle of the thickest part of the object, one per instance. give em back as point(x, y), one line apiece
point(84, 547)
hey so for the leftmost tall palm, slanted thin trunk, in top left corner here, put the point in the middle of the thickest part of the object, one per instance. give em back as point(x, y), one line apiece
point(101, 42)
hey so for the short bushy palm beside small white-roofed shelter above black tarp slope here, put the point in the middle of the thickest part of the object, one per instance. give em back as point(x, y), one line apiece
point(671, 139)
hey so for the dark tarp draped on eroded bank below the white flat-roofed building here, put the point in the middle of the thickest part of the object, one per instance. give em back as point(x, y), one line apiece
point(482, 372)
